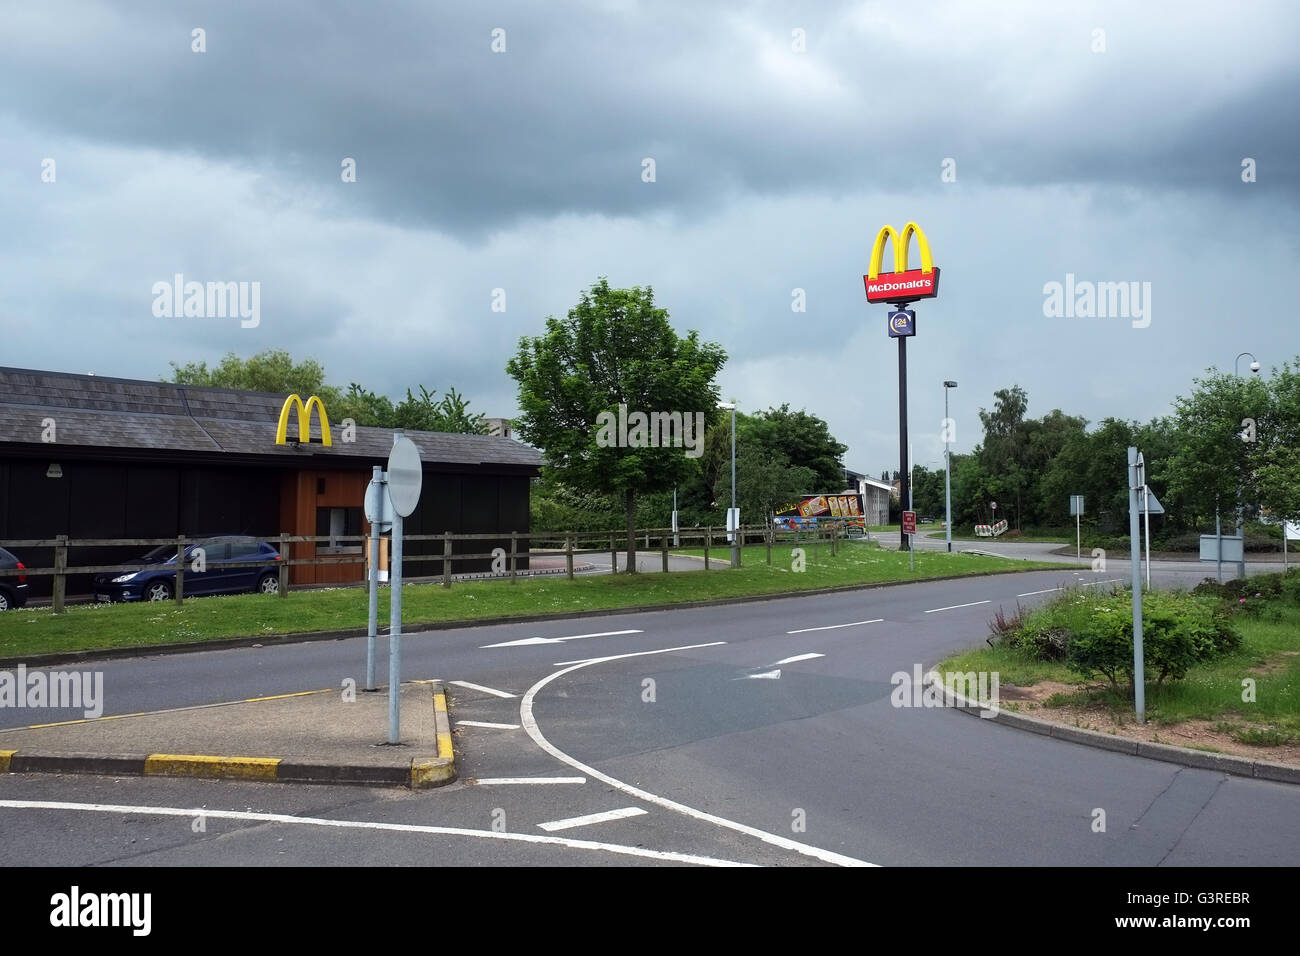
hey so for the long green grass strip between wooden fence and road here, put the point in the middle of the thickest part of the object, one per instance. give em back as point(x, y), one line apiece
point(80, 628)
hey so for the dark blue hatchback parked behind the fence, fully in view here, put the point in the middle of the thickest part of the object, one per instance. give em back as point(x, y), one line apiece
point(218, 578)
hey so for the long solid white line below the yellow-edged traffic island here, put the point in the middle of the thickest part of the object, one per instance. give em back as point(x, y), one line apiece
point(257, 817)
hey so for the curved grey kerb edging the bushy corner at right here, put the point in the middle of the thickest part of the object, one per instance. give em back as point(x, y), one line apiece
point(1199, 760)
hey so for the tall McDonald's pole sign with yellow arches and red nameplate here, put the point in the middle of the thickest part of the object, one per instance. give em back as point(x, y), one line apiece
point(898, 289)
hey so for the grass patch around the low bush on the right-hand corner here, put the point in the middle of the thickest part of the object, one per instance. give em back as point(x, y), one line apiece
point(1271, 656)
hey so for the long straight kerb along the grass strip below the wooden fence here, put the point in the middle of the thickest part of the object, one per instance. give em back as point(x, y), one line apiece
point(410, 629)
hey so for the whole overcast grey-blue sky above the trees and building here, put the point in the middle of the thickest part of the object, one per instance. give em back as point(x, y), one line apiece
point(1106, 141)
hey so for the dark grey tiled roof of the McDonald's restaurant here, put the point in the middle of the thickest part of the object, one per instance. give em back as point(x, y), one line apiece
point(94, 412)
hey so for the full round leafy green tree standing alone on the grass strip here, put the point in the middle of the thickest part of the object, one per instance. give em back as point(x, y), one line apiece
point(614, 349)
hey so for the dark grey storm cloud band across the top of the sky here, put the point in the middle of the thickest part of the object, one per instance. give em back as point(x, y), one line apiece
point(450, 136)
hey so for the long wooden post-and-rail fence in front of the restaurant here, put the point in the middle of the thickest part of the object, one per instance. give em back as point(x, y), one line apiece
point(522, 544)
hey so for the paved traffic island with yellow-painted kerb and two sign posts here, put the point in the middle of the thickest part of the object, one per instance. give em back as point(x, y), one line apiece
point(315, 737)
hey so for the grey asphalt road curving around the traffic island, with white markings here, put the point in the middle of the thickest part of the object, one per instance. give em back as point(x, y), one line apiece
point(669, 738)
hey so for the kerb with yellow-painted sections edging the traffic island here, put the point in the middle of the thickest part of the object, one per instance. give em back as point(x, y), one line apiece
point(422, 773)
